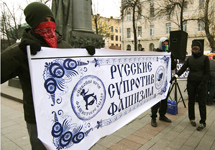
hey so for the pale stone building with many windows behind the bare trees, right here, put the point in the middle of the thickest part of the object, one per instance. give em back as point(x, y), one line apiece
point(150, 30)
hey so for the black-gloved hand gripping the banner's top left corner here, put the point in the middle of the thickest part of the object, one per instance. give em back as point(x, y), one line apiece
point(34, 46)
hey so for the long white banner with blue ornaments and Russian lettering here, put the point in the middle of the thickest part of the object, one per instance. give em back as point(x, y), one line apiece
point(79, 99)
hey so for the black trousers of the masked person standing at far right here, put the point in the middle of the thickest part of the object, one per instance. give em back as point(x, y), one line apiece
point(200, 96)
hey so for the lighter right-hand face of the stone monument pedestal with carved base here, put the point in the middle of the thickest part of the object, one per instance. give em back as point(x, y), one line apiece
point(82, 25)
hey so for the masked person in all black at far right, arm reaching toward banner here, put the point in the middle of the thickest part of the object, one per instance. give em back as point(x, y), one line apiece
point(197, 83)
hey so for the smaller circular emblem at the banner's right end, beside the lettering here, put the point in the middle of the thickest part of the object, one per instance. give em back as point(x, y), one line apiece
point(159, 77)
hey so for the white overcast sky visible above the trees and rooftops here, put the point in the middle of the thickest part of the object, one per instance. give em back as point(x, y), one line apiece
point(105, 8)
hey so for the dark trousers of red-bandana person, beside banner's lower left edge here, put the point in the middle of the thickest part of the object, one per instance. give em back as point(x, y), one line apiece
point(36, 144)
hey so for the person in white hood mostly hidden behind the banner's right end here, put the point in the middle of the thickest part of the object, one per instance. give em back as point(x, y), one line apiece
point(162, 105)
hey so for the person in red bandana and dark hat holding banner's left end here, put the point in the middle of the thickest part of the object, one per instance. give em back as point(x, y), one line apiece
point(15, 62)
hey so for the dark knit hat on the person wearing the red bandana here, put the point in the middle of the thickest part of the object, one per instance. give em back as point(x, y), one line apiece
point(35, 13)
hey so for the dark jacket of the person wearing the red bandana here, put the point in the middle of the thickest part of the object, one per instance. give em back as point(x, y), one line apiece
point(15, 63)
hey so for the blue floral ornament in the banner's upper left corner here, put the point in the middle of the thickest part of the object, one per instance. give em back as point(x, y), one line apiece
point(58, 73)
